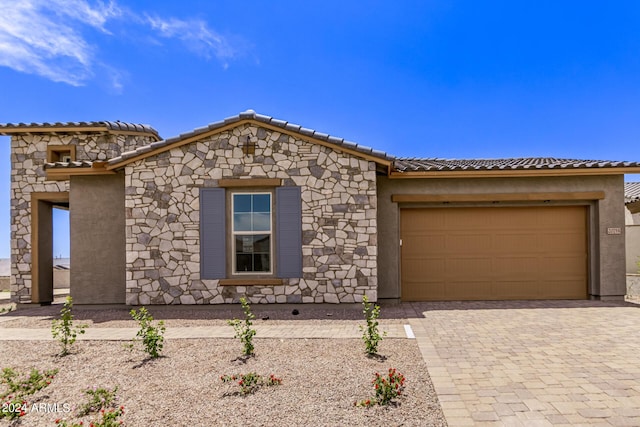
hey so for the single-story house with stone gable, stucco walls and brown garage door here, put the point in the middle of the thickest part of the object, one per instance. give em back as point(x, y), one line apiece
point(259, 207)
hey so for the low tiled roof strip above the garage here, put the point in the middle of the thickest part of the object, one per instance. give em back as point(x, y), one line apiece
point(433, 164)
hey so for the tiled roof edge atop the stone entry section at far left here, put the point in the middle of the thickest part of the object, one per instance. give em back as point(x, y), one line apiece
point(58, 127)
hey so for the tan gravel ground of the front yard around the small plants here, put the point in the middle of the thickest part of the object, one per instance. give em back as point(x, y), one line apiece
point(322, 378)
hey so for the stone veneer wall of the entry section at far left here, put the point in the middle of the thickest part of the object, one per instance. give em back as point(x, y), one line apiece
point(28, 156)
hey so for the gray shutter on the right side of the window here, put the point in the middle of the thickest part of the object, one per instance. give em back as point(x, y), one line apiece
point(289, 232)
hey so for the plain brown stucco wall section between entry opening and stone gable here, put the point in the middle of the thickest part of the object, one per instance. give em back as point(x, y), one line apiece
point(97, 223)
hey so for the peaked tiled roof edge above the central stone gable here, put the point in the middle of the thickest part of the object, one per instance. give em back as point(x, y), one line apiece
point(250, 114)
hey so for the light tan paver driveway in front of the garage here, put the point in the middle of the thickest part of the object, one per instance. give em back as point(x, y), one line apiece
point(533, 363)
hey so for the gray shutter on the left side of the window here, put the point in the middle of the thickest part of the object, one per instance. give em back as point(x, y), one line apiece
point(213, 250)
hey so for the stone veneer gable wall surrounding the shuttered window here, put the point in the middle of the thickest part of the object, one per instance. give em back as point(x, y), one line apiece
point(338, 219)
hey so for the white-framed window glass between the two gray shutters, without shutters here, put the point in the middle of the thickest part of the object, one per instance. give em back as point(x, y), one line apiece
point(251, 231)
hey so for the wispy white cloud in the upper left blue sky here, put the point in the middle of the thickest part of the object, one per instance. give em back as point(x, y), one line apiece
point(45, 37)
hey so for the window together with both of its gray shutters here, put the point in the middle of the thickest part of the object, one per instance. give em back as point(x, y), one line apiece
point(265, 229)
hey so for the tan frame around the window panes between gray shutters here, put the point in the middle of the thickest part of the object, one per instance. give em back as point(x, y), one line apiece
point(232, 233)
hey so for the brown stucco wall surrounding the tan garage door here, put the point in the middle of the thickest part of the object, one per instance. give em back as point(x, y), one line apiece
point(607, 268)
